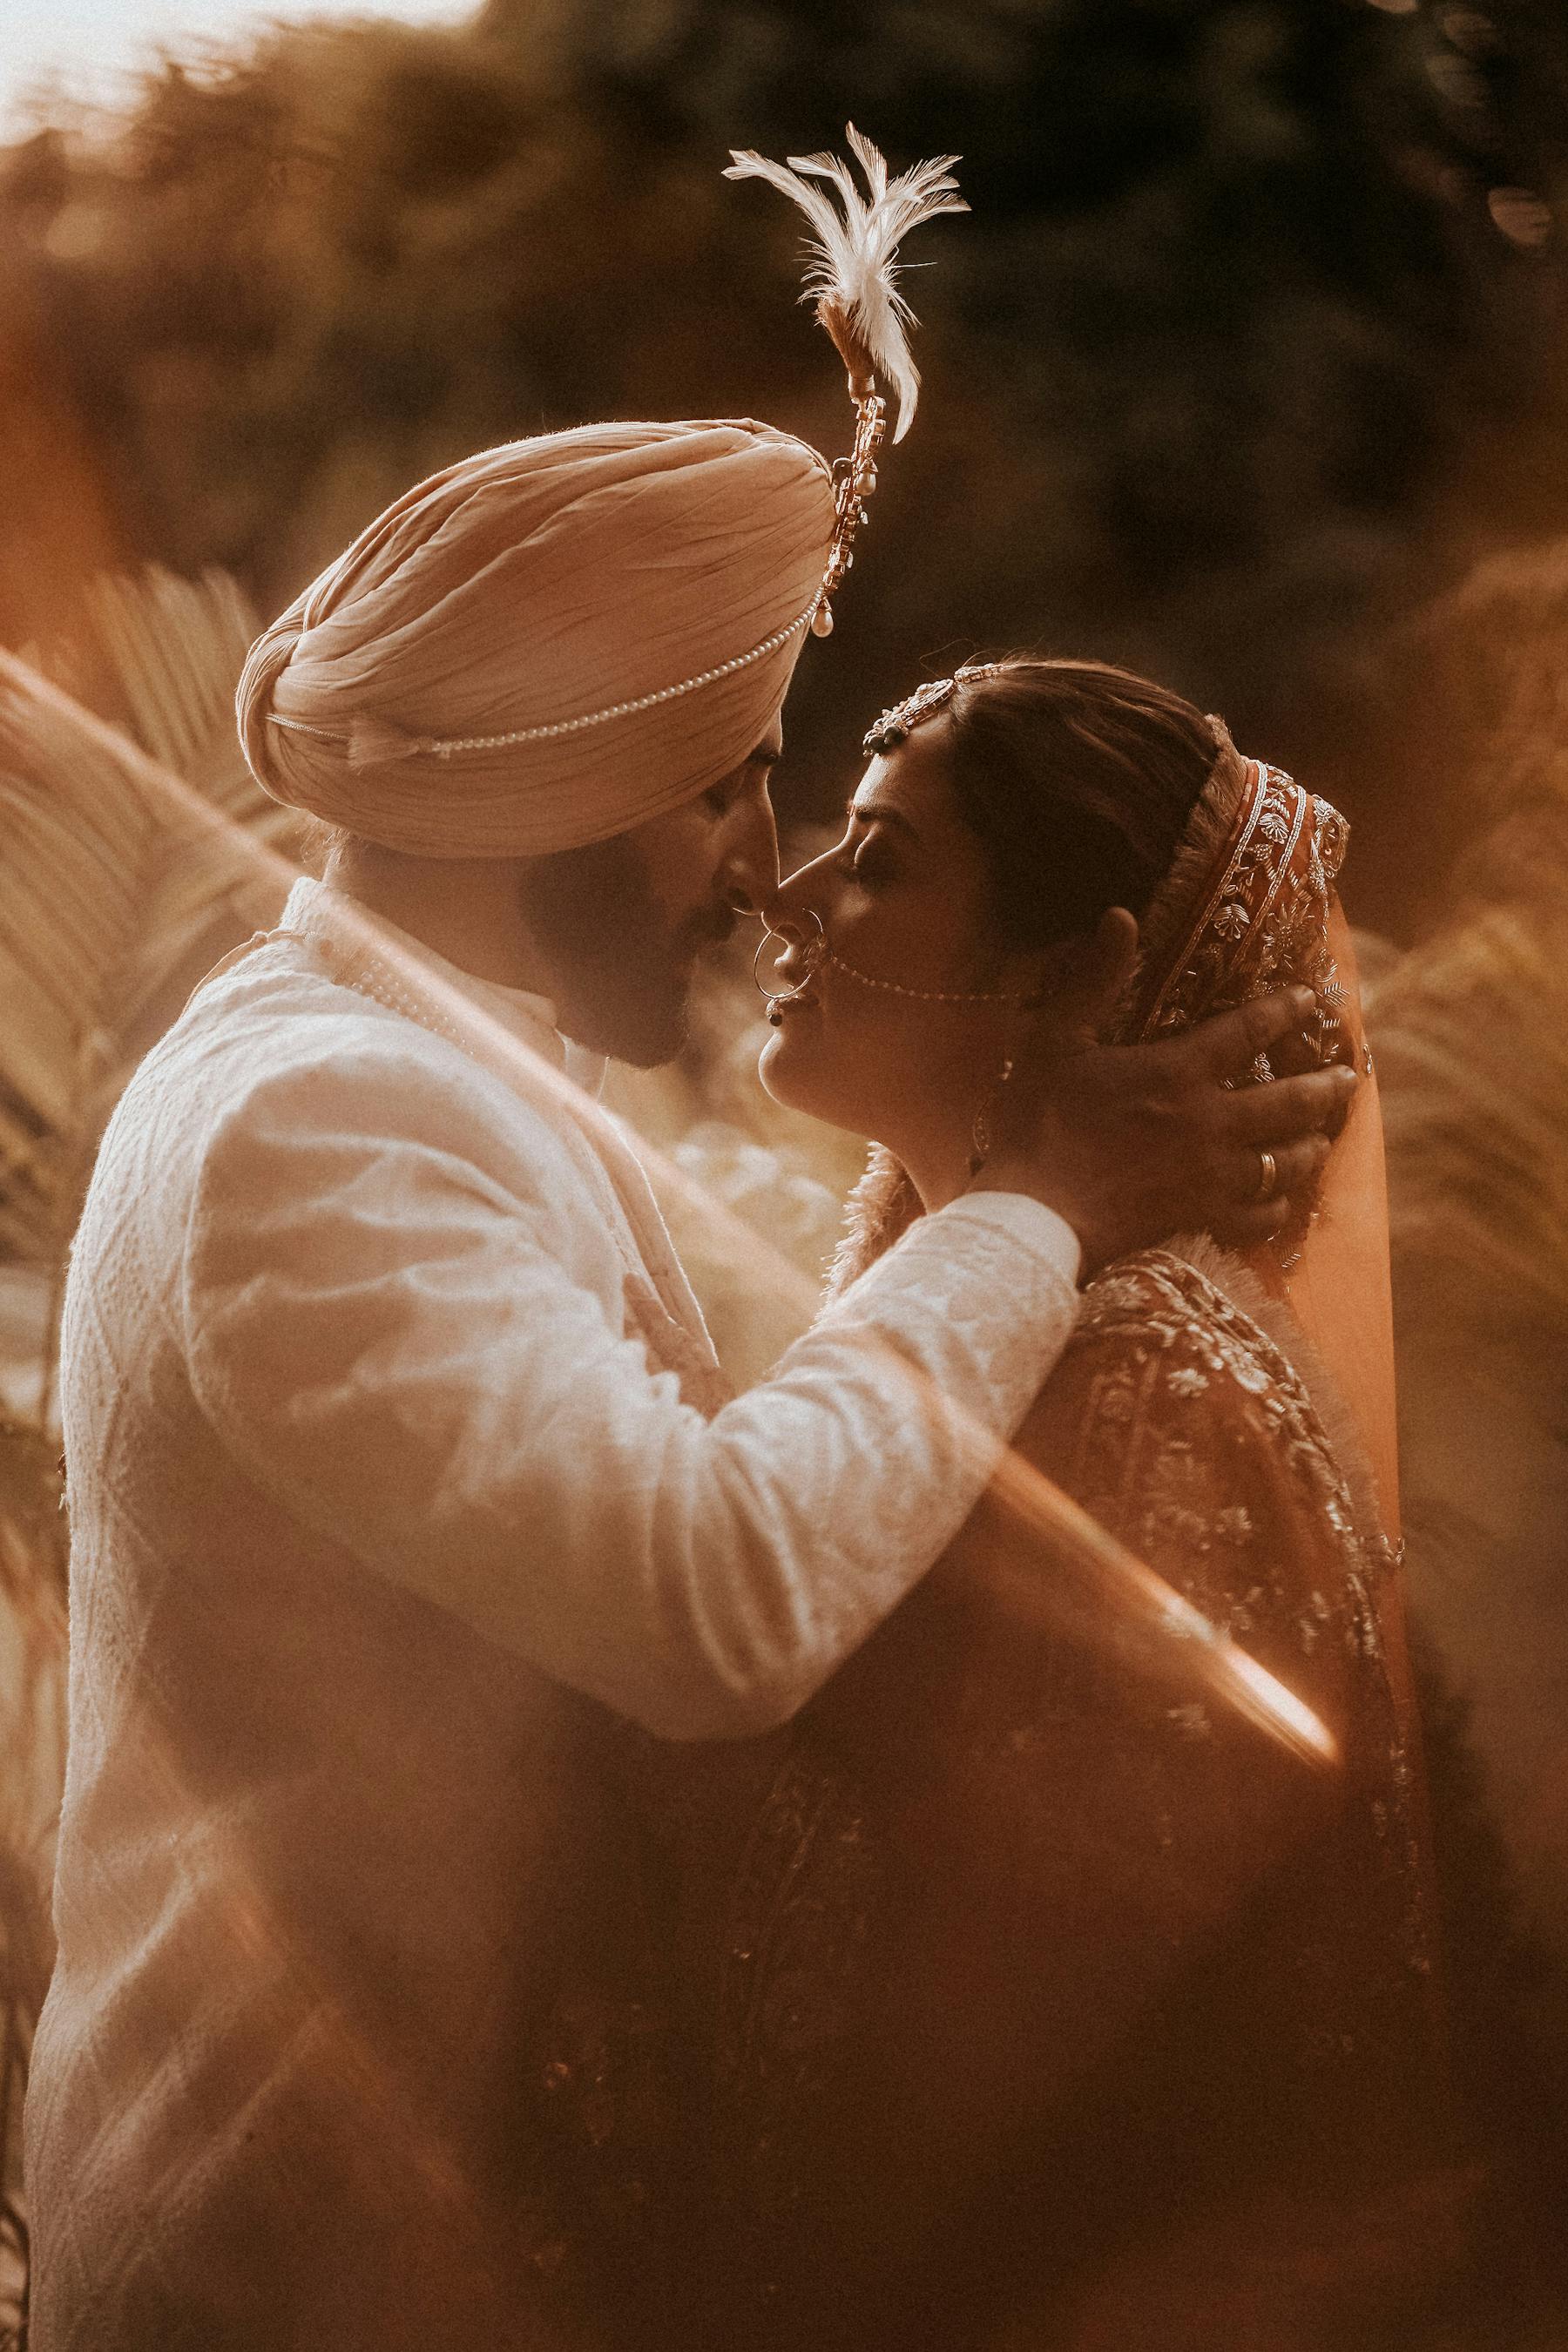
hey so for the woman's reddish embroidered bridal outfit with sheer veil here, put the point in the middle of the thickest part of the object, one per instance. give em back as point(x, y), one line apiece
point(1026, 1998)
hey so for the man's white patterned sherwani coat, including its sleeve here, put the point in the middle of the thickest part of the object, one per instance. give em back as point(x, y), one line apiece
point(396, 1457)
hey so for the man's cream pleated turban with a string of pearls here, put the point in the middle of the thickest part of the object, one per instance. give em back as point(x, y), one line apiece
point(549, 643)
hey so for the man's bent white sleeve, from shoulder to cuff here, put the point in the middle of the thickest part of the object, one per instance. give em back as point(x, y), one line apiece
point(394, 1344)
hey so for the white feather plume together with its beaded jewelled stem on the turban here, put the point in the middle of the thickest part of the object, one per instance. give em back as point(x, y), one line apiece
point(855, 286)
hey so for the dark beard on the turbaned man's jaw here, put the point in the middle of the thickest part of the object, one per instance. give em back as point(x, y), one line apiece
point(619, 970)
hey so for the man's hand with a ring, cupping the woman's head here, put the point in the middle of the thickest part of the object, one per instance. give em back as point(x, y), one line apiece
point(1139, 1142)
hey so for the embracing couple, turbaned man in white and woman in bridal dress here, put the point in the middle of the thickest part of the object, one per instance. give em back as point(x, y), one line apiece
point(556, 1855)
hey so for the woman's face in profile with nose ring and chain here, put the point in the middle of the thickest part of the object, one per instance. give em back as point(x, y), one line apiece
point(904, 902)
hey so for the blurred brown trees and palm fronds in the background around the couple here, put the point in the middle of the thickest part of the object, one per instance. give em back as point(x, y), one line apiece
point(1252, 368)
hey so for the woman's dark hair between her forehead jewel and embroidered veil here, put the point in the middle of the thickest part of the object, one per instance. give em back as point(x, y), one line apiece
point(1080, 782)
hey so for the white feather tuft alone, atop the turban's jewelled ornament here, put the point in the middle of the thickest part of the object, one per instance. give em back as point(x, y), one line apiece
point(855, 281)
